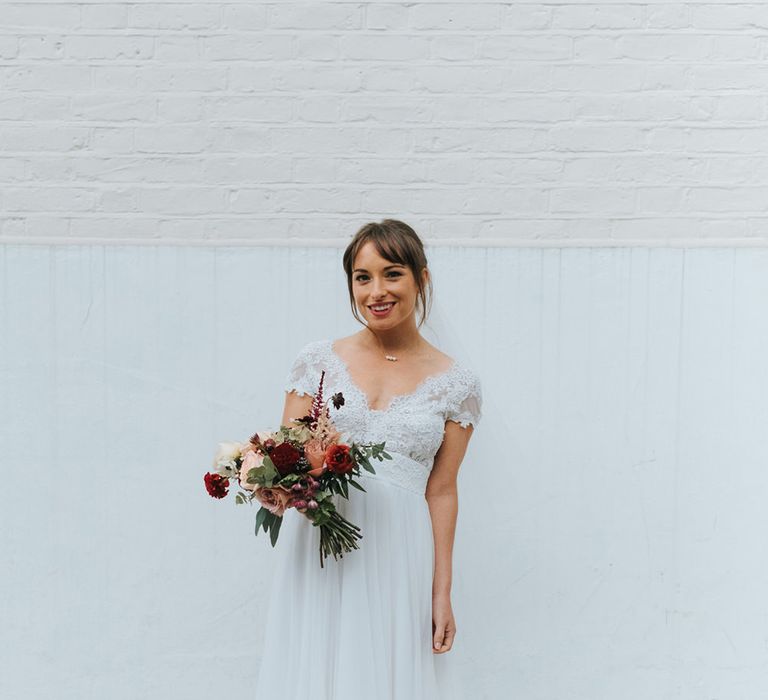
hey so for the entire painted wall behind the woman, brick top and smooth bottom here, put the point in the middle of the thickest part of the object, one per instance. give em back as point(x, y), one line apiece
point(177, 182)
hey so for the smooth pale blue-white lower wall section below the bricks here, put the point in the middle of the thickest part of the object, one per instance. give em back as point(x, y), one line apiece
point(613, 547)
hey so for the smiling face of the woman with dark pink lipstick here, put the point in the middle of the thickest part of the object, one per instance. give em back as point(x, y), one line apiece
point(380, 283)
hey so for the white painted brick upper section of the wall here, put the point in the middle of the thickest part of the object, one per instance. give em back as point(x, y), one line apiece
point(518, 123)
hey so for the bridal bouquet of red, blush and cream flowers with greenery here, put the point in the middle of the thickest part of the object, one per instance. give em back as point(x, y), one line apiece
point(300, 466)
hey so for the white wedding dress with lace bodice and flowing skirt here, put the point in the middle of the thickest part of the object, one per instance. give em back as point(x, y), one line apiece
point(361, 627)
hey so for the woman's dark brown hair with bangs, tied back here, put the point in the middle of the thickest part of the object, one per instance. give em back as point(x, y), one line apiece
point(398, 243)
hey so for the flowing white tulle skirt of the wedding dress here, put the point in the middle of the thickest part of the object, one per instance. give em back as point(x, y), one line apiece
point(361, 626)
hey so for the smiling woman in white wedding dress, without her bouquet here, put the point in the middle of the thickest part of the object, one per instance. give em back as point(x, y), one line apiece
point(377, 623)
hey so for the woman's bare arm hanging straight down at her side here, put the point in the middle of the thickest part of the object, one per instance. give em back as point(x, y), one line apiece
point(443, 501)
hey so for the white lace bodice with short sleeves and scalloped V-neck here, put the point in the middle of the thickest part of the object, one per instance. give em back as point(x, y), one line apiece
point(413, 424)
